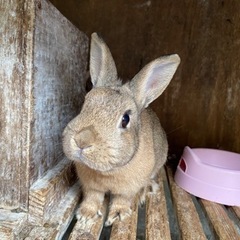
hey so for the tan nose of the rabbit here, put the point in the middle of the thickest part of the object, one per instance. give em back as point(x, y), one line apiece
point(85, 138)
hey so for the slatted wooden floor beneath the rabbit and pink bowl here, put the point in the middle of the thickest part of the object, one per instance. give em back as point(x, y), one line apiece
point(171, 213)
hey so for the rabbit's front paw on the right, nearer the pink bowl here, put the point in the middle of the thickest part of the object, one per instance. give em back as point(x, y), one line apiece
point(119, 212)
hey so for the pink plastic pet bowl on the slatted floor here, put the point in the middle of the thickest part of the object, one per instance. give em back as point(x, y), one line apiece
point(210, 174)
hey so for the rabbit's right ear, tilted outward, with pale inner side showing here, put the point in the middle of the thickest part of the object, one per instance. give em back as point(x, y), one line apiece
point(152, 80)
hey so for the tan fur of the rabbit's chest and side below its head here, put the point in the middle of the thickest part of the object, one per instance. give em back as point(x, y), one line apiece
point(129, 179)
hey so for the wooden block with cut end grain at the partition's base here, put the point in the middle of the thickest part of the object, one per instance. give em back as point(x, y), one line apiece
point(47, 192)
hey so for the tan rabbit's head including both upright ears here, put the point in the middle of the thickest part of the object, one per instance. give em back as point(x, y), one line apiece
point(105, 135)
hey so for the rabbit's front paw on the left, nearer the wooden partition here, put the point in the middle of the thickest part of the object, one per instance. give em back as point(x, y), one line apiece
point(88, 213)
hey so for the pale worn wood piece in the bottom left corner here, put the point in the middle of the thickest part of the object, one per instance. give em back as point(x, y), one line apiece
point(11, 224)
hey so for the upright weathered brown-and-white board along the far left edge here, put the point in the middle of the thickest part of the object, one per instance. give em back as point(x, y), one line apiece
point(16, 71)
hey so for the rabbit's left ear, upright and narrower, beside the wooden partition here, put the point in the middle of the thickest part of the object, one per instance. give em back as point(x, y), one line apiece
point(102, 66)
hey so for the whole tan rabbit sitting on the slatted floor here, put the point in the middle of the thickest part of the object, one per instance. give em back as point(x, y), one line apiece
point(116, 142)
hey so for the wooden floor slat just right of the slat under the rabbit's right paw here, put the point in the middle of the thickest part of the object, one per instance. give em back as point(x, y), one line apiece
point(157, 222)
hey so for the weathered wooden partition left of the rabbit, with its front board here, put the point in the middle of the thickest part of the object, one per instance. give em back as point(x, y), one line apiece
point(43, 69)
